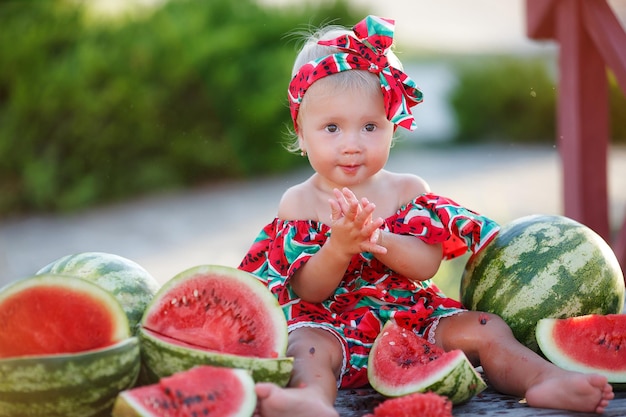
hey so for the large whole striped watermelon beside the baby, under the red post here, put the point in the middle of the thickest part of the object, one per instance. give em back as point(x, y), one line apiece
point(543, 266)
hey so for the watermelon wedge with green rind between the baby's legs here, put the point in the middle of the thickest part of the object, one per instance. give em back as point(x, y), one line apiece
point(402, 363)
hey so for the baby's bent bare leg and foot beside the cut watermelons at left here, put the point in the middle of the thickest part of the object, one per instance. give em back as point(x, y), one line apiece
point(313, 386)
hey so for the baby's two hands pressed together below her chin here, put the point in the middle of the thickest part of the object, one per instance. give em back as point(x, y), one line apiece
point(353, 229)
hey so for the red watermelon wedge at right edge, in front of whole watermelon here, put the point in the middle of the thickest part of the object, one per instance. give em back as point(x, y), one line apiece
point(590, 343)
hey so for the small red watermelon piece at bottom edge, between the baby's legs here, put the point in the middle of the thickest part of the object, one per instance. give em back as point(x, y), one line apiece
point(423, 405)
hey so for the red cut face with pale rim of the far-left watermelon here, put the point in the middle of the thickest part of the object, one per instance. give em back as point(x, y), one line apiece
point(54, 315)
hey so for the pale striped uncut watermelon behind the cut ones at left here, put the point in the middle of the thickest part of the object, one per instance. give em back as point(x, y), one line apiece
point(129, 282)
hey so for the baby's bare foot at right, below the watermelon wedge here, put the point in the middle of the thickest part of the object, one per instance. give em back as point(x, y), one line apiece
point(572, 391)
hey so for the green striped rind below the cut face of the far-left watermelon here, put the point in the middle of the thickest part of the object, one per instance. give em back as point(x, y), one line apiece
point(68, 385)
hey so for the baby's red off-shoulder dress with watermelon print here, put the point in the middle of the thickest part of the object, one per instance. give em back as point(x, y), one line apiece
point(370, 293)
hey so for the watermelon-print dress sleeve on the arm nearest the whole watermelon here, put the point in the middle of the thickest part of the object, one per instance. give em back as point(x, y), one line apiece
point(436, 219)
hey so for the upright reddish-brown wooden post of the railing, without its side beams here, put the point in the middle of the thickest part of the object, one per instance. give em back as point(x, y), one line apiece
point(583, 124)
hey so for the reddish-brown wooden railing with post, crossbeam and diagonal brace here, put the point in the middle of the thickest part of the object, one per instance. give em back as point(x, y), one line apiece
point(591, 39)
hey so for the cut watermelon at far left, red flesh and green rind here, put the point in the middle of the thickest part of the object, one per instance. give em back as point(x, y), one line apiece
point(65, 348)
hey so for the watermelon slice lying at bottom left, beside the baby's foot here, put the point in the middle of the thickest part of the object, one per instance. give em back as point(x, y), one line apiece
point(200, 391)
